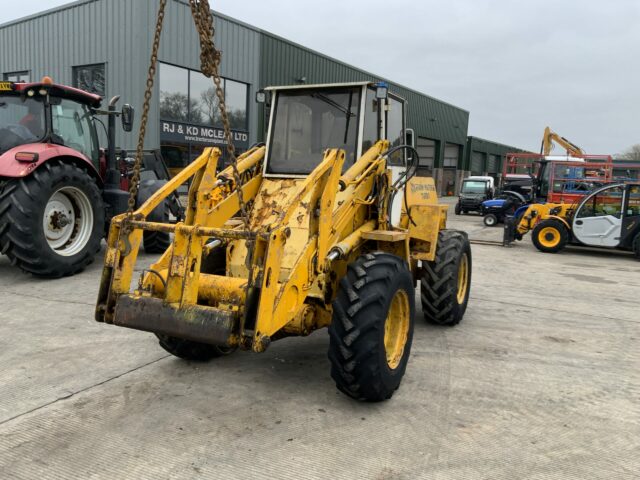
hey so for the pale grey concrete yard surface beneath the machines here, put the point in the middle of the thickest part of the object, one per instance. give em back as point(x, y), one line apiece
point(541, 380)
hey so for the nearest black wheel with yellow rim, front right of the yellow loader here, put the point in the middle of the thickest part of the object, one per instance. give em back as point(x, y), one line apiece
point(372, 328)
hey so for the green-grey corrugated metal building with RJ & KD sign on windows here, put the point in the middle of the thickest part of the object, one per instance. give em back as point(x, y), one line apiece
point(72, 44)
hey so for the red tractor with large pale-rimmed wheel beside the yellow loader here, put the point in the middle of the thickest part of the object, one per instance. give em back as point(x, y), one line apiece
point(58, 188)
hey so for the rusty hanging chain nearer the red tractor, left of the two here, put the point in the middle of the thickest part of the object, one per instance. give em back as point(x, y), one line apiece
point(135, 178)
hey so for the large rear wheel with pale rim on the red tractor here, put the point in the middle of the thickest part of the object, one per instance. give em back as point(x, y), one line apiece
point(51, 222)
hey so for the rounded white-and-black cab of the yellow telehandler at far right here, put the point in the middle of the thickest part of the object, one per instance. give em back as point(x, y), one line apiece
point(608, 217)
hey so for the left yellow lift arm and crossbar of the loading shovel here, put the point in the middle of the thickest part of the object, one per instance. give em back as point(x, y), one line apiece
point(208, 194)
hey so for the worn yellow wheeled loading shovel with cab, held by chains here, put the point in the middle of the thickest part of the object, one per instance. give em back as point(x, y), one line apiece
point(335, 237)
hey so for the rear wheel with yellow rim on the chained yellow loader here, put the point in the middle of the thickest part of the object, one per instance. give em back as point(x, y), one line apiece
point(446, 281)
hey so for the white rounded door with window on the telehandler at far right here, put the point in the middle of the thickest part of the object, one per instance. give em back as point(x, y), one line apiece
point(598, 219)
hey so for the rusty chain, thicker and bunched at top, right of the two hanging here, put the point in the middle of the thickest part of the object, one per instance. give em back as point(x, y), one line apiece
point(210, 58)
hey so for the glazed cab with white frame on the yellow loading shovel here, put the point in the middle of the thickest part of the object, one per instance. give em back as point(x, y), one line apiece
point(305, 120)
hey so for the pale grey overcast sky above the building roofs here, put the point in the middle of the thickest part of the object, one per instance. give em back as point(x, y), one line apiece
point(516, 66)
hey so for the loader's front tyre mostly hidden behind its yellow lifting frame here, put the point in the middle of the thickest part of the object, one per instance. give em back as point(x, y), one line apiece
point(188, 349)
